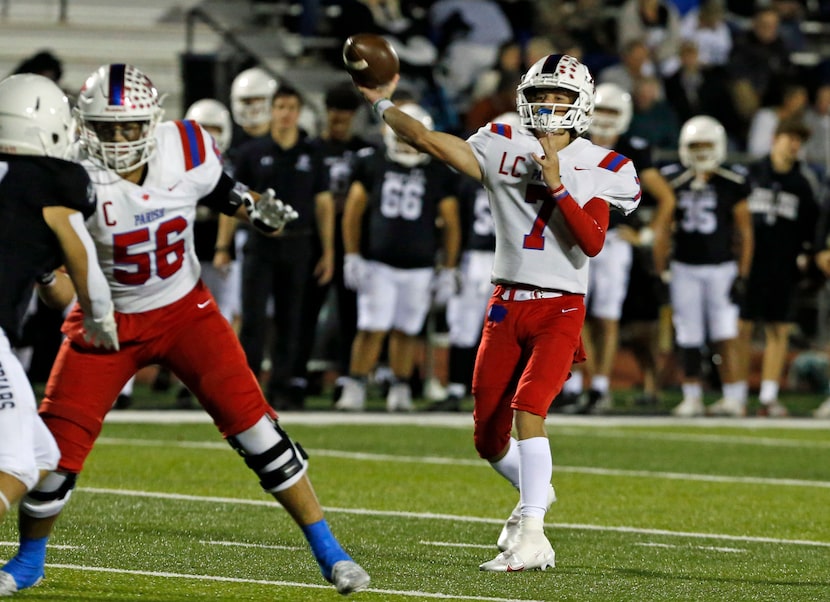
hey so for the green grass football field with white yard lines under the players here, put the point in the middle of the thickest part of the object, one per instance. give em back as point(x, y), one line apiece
point(649, 509)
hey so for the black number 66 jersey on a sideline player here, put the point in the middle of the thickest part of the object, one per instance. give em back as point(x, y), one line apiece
point(400, 229)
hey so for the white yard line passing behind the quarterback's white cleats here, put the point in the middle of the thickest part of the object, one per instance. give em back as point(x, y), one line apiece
point(453, 517)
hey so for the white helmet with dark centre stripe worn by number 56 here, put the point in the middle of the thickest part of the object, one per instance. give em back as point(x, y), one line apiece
point(118, 94)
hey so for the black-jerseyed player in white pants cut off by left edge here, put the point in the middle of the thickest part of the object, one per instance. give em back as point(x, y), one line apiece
point(43, 203)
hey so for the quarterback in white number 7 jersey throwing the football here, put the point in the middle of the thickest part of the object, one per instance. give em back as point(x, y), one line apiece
point(550, 191)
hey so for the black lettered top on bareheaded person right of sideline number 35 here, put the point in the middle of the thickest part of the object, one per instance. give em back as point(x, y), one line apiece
point(784, 218)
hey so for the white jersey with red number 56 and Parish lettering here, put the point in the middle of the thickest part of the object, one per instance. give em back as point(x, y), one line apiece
point(144, 233)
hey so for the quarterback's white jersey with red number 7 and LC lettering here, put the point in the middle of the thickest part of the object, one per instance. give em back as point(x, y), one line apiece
point(534, 246)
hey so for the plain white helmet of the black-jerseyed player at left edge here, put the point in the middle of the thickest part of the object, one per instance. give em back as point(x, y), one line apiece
point(35, 118)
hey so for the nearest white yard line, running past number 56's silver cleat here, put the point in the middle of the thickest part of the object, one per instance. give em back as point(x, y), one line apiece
point(165, 574)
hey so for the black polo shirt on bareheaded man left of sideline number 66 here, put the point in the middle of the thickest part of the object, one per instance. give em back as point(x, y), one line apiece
point(296, 174)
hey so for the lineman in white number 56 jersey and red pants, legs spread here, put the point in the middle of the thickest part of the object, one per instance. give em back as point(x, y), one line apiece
point(149, 177)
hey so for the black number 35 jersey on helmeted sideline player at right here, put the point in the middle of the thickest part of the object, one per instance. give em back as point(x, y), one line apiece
point(704, 231)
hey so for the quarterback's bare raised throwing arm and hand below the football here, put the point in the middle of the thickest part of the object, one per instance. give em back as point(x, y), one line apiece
point(452, 150)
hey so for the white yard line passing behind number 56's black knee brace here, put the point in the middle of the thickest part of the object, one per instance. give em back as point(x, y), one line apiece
point(386, 458)
